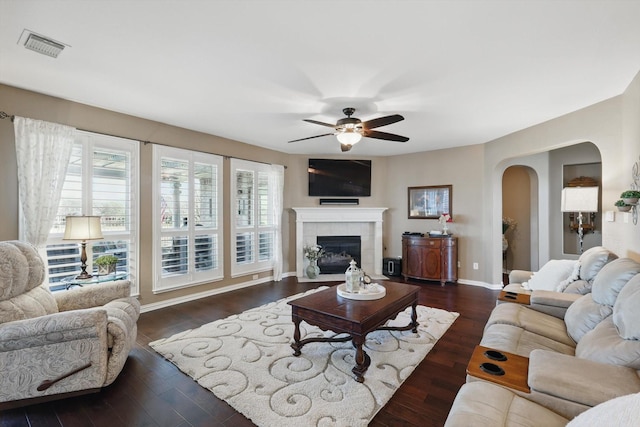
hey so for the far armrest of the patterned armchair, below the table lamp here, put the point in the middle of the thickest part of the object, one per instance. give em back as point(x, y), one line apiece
point(93, 295)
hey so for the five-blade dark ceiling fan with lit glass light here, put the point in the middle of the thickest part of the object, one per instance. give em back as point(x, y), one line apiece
point(350, 130)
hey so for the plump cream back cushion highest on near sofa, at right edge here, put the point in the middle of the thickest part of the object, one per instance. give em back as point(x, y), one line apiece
point(612, 278)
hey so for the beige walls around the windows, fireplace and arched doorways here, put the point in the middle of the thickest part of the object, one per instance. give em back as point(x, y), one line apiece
point(474, 171)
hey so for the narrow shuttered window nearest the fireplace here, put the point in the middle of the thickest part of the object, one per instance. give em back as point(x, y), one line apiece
point(253, 227)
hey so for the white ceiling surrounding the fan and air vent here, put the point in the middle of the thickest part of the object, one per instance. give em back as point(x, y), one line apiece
point(460, 72)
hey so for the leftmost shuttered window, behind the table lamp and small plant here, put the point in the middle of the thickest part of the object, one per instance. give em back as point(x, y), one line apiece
point(102, 179)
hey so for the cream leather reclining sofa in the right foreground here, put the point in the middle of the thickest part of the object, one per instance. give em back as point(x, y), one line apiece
point(579, 356)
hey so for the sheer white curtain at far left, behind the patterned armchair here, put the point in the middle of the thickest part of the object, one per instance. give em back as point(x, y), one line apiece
point(43, 151)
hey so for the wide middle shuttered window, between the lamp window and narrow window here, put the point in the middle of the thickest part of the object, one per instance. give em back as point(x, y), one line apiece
point(187, 220)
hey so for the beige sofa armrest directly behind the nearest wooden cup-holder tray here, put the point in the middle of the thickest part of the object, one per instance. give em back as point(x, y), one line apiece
point(578, 380)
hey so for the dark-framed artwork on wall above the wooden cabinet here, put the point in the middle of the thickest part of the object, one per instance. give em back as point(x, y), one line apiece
point(430, 202)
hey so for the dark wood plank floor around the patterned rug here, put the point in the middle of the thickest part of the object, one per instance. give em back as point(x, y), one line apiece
point(151, 391)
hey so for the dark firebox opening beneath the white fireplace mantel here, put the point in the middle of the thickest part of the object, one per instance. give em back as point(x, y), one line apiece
point(339, 251)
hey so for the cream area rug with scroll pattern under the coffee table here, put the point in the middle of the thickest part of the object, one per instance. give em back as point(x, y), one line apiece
point(246, 360)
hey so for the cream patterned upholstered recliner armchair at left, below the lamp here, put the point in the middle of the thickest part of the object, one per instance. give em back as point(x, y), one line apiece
point(58, 344)
